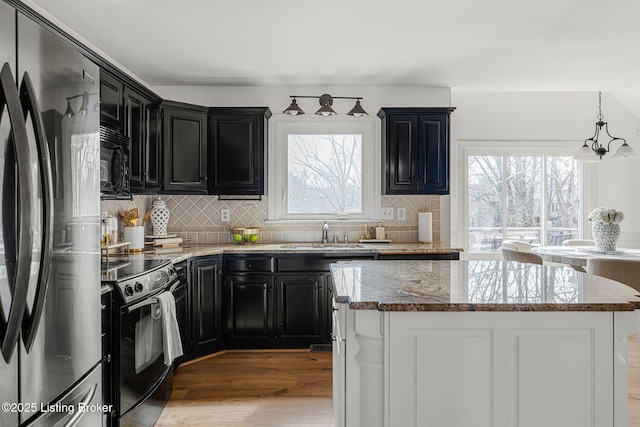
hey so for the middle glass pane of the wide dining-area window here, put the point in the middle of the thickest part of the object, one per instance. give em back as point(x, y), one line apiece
point(524, 199)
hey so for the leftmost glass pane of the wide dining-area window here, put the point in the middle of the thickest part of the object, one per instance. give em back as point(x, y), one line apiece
point(485, 203)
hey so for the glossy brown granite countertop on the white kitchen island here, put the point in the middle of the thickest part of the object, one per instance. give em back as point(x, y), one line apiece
point(479, 285)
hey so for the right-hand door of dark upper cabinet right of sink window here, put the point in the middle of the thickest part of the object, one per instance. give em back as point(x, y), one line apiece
point(433, 154)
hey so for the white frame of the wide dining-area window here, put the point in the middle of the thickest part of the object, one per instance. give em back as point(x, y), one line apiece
point(515, 148)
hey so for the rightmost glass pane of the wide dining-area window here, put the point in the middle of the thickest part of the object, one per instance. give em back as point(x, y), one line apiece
point(563, 202)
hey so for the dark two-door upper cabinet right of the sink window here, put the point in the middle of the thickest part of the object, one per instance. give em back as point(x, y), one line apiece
point(415, 150)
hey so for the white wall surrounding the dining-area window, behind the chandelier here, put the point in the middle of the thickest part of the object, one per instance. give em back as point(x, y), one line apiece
point(554, 116)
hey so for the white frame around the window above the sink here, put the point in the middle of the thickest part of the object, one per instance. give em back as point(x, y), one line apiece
point(281, 126)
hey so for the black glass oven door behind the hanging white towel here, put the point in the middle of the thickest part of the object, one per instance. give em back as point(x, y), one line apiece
point(145, 381)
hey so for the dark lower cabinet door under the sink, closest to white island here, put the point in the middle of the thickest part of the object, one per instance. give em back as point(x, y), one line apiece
point(300, 309)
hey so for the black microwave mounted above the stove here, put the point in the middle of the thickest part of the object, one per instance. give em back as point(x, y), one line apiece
point(114, 164)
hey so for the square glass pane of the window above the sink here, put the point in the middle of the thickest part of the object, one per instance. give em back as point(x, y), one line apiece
point(324, 174)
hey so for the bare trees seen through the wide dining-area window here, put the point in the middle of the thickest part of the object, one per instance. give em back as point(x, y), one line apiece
point(507, 195)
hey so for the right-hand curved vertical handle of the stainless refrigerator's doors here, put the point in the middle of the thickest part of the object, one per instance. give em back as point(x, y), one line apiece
point(30, 105)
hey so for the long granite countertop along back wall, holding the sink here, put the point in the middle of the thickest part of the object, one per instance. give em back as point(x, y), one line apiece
point(195, 250)
